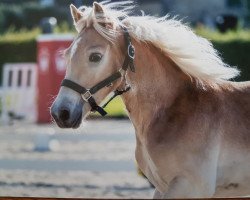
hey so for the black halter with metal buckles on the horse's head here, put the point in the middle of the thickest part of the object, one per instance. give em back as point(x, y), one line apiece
point(87, 94)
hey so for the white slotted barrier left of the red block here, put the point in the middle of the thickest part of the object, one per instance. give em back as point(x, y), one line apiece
point(18, 93)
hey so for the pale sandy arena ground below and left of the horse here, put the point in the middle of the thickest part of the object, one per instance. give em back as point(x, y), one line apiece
point(96, 160)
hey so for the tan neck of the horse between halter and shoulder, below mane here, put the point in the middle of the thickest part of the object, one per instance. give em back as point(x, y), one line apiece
point(155, 85)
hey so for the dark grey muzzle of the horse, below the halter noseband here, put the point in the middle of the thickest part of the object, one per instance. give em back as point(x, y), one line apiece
point(67, 115)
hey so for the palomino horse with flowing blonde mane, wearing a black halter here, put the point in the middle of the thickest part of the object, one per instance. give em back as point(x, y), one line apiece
point(192, 125)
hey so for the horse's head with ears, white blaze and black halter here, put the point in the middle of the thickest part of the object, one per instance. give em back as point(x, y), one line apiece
point(96, 53)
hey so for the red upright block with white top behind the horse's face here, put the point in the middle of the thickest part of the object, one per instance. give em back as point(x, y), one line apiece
point(51, 71)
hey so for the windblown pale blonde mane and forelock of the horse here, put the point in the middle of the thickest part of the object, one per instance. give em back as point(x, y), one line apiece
point(194, 55)
